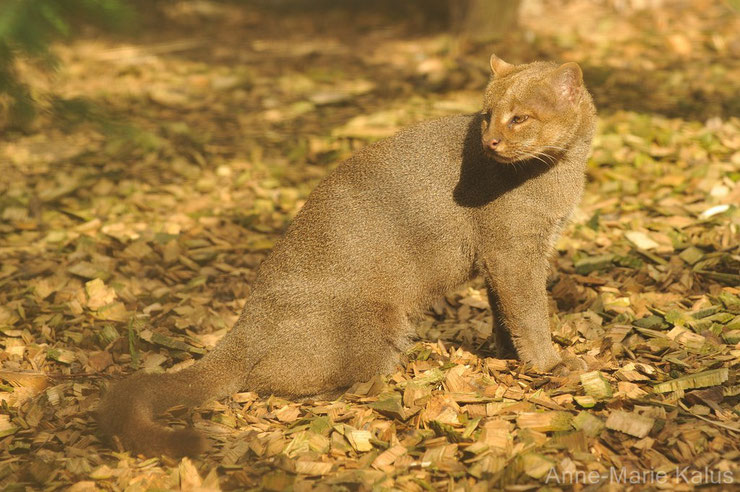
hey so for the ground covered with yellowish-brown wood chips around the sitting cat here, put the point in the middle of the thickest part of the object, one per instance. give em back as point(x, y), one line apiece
point(129, 239)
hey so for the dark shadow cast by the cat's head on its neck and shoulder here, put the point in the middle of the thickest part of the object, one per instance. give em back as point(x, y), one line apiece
point(482, 179)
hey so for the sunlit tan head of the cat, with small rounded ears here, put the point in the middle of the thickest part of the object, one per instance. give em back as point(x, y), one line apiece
point(533, 111)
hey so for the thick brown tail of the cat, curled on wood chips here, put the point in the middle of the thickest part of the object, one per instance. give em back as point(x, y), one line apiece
point(127, 411)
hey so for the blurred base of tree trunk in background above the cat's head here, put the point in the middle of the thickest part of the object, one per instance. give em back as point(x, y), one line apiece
point(484, 20)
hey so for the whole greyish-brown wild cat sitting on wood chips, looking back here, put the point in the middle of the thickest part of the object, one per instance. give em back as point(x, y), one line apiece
point(399, 223)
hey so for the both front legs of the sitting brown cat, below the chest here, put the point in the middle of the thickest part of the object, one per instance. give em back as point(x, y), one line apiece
point(517, 278)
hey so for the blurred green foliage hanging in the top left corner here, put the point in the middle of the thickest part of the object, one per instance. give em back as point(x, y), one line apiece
point(27, 29)
